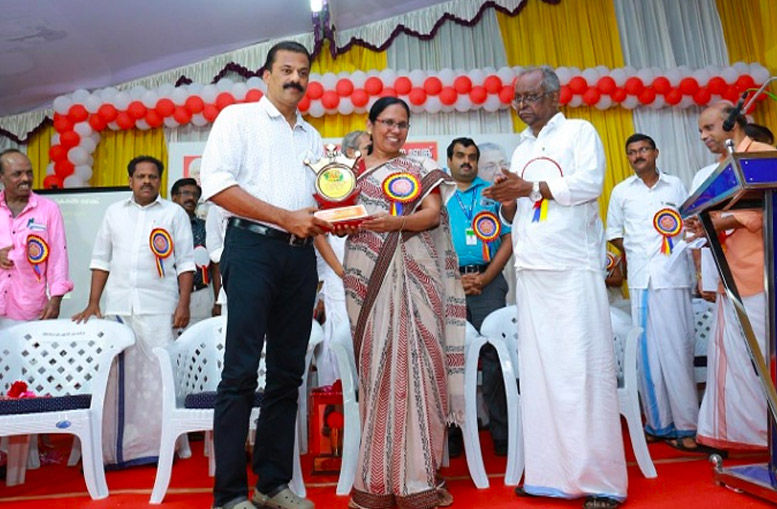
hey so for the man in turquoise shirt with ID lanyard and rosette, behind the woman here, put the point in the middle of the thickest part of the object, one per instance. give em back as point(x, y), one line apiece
point(483, 246)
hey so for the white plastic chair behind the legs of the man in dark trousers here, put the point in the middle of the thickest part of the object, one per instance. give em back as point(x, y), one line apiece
point(192, 365)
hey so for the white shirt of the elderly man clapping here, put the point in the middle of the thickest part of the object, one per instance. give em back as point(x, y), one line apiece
point(572, 236)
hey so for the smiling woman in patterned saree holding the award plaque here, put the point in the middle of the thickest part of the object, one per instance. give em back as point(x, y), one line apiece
point(408, 315)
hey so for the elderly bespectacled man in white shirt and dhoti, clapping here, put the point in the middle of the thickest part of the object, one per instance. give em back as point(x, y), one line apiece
point(572, 432)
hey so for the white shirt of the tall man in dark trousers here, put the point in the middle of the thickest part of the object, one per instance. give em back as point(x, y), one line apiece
point(253, 146)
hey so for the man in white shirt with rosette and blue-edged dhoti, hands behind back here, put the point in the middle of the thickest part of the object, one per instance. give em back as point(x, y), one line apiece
point(643, 222)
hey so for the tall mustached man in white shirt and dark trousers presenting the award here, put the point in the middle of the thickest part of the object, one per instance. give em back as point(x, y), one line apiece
point(253, 167)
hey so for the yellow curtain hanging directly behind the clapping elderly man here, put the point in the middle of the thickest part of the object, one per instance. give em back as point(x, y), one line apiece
point(580, 34)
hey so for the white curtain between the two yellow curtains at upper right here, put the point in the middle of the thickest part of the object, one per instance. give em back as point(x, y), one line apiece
point(666, 34)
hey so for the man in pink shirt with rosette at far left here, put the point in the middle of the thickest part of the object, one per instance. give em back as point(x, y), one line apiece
point(33, 251)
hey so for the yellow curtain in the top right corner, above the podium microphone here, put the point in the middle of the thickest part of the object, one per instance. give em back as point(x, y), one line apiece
point(748, 28)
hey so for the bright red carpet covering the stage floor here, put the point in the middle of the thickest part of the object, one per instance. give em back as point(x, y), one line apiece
point(684, 480)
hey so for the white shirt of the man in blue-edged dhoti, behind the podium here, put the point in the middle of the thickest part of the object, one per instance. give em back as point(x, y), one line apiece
point(633, 205)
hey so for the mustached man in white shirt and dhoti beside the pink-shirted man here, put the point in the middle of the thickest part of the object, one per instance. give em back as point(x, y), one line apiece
point(142, 259)
